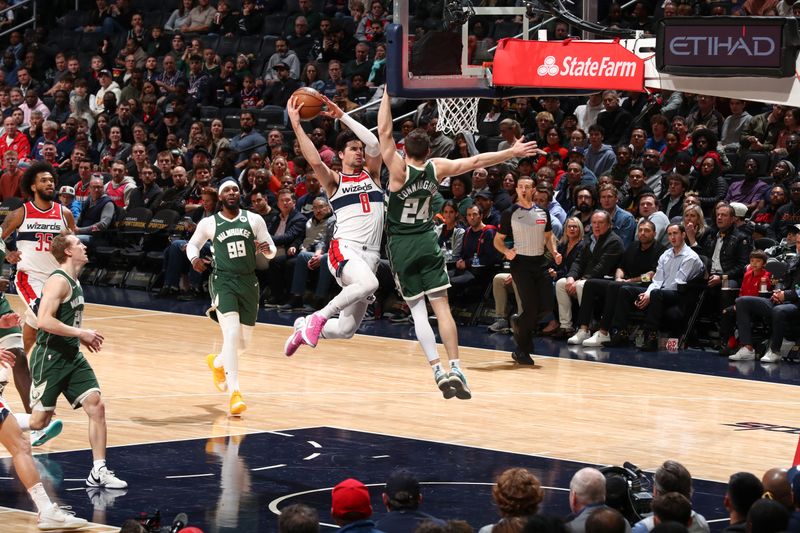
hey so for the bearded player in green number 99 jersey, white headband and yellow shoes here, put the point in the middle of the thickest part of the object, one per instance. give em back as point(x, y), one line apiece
point(236, 236)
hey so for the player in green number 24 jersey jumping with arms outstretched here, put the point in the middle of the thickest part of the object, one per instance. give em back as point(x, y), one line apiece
point(415, 257)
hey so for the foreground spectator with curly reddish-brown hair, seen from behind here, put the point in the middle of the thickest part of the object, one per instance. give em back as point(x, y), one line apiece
point(517, 494)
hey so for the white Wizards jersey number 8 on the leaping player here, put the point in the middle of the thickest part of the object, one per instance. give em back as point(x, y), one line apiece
point(358, 206)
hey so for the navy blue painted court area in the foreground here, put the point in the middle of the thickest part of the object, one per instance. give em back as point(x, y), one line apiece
point(238, 484)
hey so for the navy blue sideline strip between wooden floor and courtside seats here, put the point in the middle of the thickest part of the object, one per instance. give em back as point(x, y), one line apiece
point(692, 361)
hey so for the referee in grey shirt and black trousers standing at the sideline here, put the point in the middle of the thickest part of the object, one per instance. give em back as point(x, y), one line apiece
point(528, 225)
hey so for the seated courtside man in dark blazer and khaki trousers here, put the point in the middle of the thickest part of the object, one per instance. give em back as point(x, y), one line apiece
point(600, 256)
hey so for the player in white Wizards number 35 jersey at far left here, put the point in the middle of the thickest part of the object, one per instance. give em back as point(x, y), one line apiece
point(37, 222)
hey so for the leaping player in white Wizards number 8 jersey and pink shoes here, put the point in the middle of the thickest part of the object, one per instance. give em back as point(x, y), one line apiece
point(356, 197)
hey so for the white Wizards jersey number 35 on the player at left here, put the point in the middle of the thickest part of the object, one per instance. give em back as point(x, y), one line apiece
point(34, 236)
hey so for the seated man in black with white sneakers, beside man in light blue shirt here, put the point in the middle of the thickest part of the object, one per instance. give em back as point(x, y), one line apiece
point(638, 265)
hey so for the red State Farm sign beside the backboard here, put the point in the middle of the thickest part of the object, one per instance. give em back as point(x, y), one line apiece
point(567, 64)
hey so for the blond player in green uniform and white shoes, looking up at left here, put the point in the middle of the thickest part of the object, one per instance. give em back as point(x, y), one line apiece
point(57, 364)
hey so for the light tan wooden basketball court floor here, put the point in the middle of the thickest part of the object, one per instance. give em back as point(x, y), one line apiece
point(157, 388)
